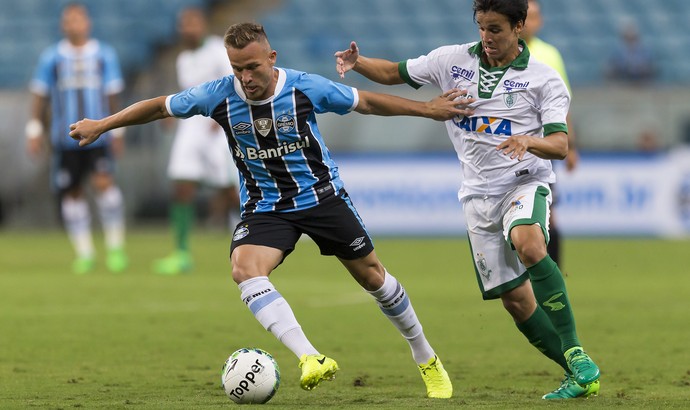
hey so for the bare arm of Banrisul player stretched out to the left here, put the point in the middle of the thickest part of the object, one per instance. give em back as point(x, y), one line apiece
point(87, 131)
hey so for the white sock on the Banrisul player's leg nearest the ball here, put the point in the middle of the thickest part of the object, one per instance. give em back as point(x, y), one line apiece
point(275, 315)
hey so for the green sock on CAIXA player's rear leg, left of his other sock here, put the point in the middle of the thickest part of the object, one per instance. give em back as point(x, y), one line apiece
point(540, 332)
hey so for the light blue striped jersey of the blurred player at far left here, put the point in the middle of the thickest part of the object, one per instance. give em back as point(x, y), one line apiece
point(78, 82)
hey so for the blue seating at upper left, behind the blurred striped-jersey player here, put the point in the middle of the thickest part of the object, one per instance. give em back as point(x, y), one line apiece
point(134, 28)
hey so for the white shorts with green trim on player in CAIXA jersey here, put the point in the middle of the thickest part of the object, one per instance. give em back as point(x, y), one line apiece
point(489, 221)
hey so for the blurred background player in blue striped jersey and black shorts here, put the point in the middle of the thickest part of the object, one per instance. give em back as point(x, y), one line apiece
point(79, 77)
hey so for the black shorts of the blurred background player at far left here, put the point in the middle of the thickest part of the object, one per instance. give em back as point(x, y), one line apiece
point(70, 168)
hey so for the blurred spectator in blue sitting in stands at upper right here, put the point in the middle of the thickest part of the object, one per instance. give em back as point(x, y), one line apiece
point(631, 62)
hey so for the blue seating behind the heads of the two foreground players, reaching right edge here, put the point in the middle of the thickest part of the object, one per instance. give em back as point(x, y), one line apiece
point(307, 32)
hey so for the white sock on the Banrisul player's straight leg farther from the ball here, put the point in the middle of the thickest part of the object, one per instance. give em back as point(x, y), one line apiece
point(396, 305)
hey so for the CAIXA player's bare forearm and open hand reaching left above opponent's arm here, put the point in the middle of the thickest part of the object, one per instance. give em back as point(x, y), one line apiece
point(375, 69)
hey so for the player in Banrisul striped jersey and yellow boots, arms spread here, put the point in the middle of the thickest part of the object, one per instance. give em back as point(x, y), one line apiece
point(290, 186)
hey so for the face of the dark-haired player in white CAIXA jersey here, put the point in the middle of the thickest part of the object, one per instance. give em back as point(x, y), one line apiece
point(498, 38)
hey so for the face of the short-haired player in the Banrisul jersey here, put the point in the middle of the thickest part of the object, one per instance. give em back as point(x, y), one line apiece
point(253, 66)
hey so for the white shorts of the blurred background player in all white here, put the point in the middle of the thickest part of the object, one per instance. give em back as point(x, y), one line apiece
point(200, 153)
